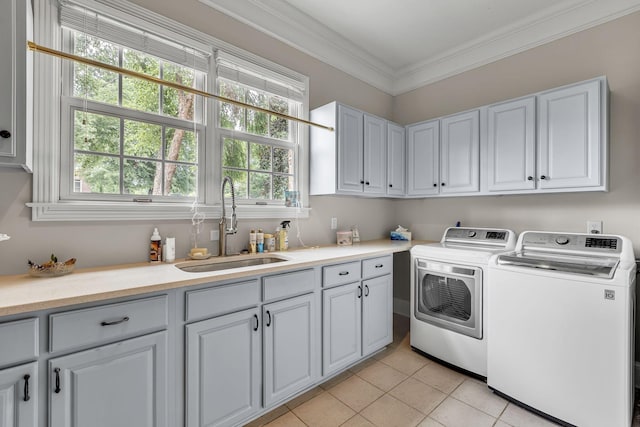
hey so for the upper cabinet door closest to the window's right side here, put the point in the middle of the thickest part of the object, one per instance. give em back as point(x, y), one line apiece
point(350, 150)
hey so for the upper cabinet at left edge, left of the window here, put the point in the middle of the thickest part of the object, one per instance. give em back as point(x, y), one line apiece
point(15, 87)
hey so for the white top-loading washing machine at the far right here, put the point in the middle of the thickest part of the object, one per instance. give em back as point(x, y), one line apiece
point(561, 322)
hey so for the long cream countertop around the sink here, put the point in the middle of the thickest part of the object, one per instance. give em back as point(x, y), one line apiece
point(23, 293)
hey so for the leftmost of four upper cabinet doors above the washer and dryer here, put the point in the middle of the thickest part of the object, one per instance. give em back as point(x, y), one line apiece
point(422, 158)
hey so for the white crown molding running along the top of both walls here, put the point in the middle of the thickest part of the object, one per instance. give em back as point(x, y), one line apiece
point(279, 20)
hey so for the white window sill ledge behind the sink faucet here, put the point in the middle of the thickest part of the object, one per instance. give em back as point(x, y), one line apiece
point(106, 211)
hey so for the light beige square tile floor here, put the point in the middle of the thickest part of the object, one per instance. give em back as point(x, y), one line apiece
point(399, 387)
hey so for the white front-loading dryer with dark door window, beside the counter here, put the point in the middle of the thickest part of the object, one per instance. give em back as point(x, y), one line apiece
point(448, 286)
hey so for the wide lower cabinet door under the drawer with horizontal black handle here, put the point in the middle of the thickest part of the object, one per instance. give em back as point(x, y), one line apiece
point(121, 384)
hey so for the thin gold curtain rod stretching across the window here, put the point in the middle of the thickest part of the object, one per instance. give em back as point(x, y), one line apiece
point(37, 48)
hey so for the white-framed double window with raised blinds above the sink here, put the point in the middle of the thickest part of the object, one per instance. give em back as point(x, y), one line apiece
point(112, 141)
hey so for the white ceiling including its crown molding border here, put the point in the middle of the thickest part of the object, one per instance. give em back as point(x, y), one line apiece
point(399, 45)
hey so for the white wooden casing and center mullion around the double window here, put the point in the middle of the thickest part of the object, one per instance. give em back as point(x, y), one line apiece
point(47, 204)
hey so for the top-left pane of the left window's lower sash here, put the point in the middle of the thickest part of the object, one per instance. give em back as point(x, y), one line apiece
point(96, 132)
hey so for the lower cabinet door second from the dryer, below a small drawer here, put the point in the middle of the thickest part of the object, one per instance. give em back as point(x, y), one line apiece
point(341, 326)
